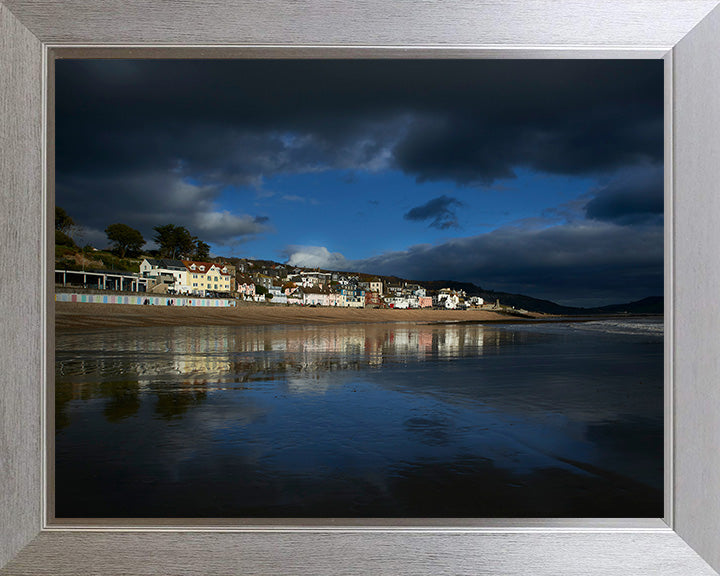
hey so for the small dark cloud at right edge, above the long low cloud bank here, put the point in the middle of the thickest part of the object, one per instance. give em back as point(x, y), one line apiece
point(631, 198)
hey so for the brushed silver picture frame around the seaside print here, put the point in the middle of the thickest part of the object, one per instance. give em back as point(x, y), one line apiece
point(685, 33)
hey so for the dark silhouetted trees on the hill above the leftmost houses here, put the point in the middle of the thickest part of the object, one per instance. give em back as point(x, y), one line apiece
point(175, 242)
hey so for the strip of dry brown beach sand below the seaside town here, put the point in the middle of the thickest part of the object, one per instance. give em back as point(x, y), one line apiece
point(77, 316)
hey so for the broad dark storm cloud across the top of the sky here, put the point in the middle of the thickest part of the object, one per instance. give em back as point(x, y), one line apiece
point(462, 121)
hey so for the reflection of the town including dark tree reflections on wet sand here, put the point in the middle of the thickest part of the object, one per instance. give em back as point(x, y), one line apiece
point(211, 356)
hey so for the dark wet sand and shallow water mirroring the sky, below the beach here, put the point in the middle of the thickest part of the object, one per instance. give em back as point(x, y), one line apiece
point(456, 420)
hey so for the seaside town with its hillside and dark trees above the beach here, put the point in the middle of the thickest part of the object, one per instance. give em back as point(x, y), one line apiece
point(182, 273)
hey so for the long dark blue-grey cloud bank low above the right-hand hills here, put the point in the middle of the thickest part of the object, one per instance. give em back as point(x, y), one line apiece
point(581, 264)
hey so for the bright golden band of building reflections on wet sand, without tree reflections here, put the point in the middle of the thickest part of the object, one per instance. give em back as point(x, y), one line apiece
point(201, 354)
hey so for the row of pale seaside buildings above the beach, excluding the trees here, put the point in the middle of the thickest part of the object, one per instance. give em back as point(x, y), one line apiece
point(191, 282)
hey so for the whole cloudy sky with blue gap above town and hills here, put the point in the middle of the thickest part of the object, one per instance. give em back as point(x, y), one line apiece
point(529, 176)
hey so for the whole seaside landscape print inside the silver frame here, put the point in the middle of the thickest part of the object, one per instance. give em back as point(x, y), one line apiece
point(255, 371)
